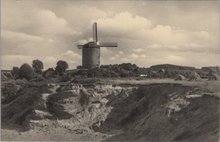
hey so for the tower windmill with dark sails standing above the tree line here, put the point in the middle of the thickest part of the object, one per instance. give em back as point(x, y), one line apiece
point(91, 50)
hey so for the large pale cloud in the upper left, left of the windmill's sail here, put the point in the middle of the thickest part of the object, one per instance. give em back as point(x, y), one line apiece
point(35, 21)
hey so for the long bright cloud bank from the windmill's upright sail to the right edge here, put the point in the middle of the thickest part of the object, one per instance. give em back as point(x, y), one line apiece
point(125, 25)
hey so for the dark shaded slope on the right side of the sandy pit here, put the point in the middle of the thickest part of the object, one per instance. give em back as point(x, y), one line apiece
point(143, 115)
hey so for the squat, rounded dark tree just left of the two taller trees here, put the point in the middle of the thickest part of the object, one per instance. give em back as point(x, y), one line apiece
point(26, 72)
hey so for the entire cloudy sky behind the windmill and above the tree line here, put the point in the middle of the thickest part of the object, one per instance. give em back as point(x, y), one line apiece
point(147, 32)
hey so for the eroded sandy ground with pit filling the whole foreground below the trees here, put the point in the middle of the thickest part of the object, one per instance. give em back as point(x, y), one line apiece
point(111, 109)
